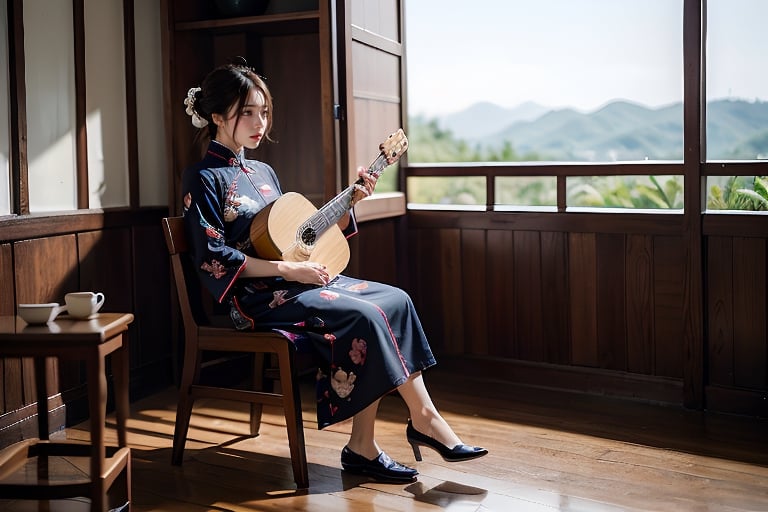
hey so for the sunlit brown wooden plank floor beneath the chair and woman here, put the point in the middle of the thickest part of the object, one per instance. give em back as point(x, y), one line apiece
point(548, 451)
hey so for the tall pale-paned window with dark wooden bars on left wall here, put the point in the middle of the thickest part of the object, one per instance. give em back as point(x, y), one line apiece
point(53, 175)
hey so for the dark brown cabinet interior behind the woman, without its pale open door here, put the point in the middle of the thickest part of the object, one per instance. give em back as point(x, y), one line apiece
point(293, 51)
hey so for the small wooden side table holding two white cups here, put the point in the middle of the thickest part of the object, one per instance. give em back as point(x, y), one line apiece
point(90, 341)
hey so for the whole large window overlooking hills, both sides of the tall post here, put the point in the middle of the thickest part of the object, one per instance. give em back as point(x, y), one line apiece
point(567, 82)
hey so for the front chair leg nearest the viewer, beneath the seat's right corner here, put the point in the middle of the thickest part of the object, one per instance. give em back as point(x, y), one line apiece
point(293, 419)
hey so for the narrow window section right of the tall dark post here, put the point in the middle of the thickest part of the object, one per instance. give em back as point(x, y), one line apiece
point(737, 106)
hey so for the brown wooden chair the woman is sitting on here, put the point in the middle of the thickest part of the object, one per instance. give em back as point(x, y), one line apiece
point(199, 337)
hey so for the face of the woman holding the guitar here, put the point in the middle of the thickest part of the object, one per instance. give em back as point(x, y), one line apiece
point(248, 129)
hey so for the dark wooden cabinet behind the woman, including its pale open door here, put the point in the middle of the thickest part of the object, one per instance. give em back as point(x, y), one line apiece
point(321, 65)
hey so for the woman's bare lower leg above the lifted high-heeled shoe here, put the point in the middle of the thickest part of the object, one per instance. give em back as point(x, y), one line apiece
point(424, 415)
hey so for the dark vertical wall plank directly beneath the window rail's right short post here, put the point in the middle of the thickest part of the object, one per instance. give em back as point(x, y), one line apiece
point(554, 285)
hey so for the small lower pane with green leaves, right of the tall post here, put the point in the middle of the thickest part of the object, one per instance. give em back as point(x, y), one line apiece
point(737, 193)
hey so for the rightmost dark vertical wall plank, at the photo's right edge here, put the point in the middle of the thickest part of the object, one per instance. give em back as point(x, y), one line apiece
point(749, 313)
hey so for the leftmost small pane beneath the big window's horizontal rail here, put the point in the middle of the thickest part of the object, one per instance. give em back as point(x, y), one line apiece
point(465, 191)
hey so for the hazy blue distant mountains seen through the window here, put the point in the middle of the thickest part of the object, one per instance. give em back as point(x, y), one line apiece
point(618, 131)
